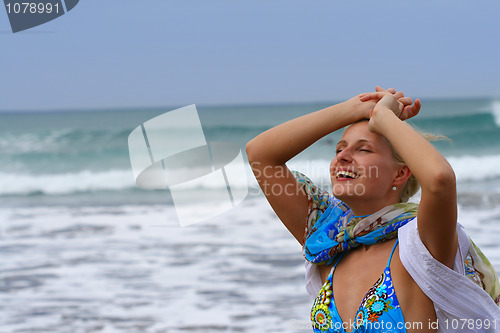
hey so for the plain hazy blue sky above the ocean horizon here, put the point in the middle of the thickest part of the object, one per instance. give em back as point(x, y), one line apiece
point(154, 53)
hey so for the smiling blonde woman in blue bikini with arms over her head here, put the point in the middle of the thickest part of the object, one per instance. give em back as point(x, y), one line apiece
point(366, 232)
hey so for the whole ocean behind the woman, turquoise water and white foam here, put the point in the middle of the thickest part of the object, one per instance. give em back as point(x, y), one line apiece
point(86, 250)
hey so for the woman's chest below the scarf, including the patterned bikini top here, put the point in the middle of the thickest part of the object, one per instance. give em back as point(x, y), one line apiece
point(356, 284)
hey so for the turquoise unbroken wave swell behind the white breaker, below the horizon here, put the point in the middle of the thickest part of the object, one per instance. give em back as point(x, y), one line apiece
point(463, 123)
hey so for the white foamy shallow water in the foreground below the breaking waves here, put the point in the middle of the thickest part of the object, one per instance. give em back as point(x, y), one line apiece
point(134, 272)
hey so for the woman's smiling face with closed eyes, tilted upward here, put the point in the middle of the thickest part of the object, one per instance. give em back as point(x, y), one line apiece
point(363, 167)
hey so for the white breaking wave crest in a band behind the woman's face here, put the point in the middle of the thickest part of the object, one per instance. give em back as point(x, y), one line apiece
point(467, 168)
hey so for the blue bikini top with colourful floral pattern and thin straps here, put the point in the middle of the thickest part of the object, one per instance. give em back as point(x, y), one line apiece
point(379, 310)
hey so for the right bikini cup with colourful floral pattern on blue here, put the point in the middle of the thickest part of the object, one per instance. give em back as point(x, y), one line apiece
point(378, 300)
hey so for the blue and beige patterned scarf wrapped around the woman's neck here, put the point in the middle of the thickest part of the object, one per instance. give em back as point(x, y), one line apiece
point(337, 230)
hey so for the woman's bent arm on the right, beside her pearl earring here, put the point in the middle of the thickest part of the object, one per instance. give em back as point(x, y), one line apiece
point(437, 213)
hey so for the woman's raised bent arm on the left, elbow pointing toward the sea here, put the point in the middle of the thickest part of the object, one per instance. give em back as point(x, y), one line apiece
point(269, 151)
